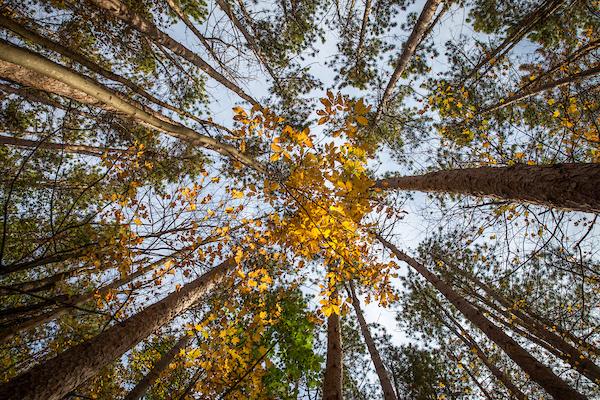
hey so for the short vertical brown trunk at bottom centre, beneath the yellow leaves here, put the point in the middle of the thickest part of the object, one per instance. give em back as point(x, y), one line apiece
point(332, 383)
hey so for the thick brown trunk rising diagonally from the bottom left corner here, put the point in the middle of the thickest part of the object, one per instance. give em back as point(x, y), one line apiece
point(58, 376)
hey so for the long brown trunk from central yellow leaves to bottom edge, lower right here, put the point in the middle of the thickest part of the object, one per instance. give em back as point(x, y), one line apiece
point(537, 371)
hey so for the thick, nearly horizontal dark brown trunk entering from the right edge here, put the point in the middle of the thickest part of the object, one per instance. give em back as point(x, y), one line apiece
point(565, 186)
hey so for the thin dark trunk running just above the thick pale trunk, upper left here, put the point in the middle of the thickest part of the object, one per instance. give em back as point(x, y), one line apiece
point(34, 37)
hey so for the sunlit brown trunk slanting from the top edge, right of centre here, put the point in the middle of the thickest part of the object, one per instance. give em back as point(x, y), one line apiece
point(409, 49)
